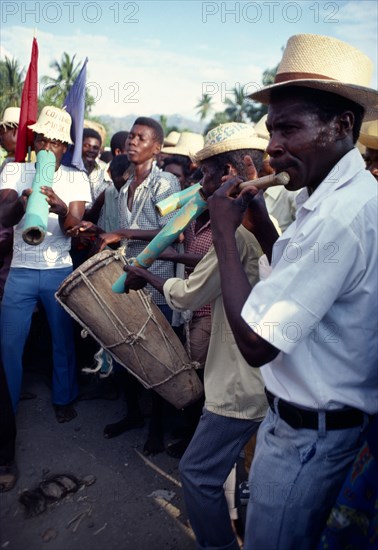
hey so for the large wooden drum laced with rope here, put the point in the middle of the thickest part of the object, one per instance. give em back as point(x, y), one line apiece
point(131, 328)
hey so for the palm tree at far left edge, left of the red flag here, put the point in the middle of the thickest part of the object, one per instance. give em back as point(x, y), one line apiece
point(11, 83)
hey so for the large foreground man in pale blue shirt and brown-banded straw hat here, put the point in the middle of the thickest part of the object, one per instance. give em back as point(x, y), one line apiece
point(312, 322)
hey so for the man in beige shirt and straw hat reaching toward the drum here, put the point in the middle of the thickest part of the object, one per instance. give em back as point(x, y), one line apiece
point(235, 402)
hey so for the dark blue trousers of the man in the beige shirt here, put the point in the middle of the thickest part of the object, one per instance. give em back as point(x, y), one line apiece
point(204, 468)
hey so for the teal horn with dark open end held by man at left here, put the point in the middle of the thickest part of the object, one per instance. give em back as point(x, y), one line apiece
point(37, 208)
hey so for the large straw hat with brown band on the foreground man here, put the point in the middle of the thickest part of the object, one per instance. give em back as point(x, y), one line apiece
point(328, 64)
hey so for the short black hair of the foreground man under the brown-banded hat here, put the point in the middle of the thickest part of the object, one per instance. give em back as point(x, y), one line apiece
point(326, 105)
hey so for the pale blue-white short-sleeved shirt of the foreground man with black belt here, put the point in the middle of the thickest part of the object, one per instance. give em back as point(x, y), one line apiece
point(319, 306)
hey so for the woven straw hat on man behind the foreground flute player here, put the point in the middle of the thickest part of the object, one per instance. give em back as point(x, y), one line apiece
point(230, 137)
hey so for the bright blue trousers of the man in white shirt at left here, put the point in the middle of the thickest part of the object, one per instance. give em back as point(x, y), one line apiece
point(23, 289)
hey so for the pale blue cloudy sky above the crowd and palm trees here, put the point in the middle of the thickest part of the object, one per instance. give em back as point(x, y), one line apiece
point(159, 57)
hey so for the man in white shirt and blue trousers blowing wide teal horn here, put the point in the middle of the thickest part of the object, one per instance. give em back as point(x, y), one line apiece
point(37, 270)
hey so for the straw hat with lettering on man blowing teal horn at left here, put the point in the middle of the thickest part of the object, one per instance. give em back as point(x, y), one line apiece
point(53, 123)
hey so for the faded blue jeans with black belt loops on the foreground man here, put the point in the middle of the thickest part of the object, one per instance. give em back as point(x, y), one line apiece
point(294, 480)
